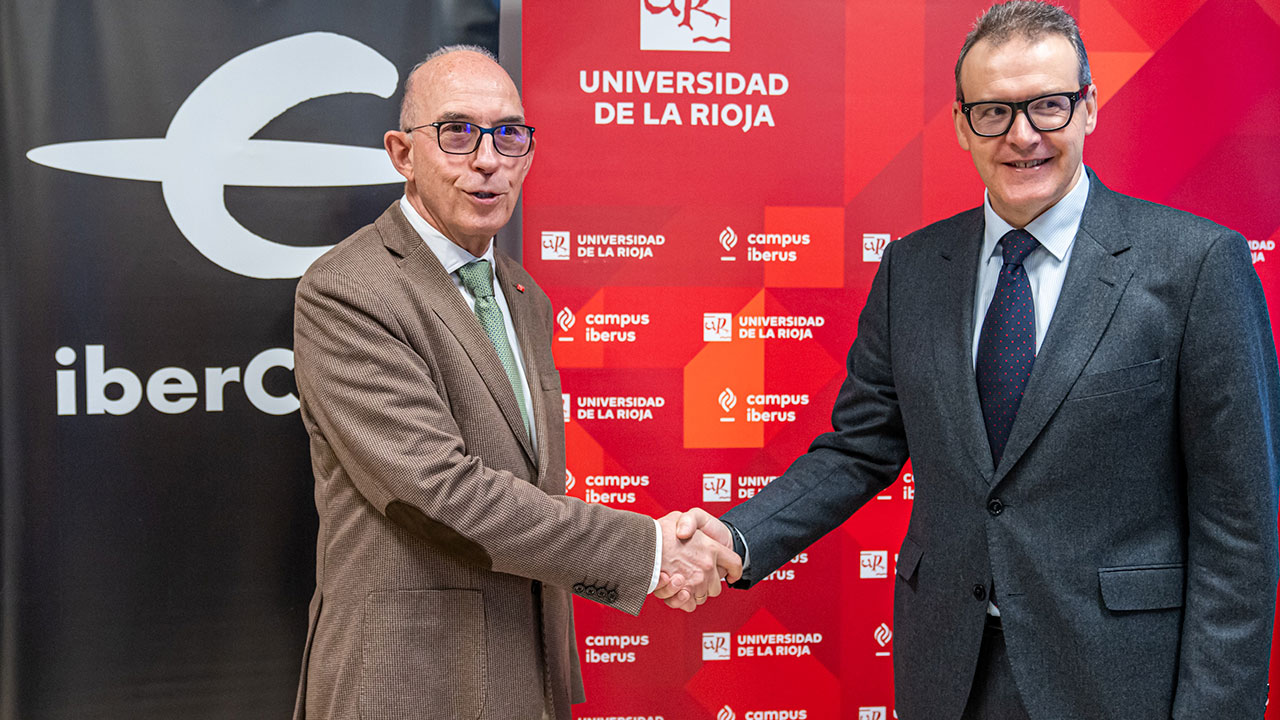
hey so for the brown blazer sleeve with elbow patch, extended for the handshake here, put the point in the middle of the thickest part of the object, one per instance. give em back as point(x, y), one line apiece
point(376, 403)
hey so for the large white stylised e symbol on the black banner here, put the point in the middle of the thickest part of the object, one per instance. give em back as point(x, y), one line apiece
point(209, 147)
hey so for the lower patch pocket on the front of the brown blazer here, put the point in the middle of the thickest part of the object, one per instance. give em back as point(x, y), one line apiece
point(423, 655)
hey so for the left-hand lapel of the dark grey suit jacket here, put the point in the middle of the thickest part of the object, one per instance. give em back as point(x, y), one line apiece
point(954, 332)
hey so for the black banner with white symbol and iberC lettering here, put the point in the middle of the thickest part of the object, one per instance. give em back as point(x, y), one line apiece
point(168, 171)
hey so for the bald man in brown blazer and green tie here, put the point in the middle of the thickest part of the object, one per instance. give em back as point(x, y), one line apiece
point(447, 552)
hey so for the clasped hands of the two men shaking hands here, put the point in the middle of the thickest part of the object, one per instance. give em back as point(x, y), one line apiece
point(697, 555)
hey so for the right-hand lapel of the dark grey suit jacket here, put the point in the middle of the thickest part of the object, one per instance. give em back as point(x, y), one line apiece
point(1091, 291)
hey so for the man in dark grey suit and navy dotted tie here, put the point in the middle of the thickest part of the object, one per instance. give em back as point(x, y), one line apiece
point(1087, 389)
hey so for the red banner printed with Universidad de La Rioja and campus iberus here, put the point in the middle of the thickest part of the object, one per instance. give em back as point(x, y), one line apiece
point(715, 184)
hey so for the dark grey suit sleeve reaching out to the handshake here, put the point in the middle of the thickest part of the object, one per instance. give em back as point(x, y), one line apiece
point(843, 470)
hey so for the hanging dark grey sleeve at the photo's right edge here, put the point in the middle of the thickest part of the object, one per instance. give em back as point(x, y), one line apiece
point(1229, 414)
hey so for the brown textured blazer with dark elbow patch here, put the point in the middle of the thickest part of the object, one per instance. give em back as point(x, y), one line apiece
point(446, 544)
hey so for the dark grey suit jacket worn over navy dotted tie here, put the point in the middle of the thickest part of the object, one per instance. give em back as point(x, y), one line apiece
point(1131, 527)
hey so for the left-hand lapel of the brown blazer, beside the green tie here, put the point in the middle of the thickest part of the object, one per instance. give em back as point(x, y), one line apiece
point(447, 303)
